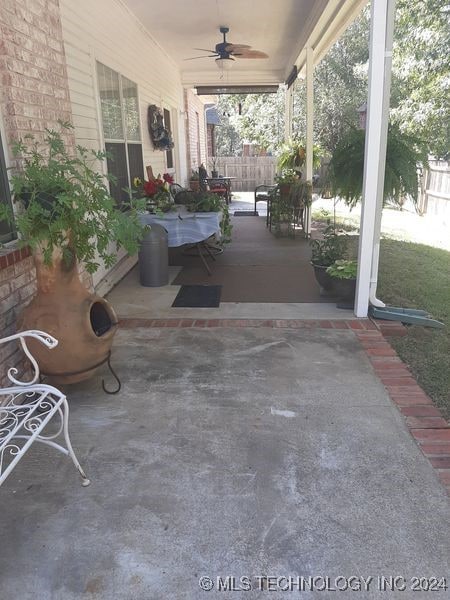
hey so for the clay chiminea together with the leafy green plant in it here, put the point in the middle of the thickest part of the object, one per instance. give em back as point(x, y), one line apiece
point(67, 217)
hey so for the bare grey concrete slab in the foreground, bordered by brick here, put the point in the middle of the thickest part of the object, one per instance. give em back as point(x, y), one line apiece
point(241, 452)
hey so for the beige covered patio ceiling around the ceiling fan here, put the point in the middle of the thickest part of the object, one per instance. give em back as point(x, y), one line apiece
point(281, 29)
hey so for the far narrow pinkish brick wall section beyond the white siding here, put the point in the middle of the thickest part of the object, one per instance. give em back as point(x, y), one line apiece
point(195, 144)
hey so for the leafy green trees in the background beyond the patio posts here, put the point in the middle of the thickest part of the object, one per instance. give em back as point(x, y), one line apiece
point(419, 90)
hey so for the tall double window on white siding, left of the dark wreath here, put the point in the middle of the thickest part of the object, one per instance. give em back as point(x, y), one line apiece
point(121, 130)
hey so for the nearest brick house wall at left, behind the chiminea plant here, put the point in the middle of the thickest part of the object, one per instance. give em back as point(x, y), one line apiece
point(34, 95)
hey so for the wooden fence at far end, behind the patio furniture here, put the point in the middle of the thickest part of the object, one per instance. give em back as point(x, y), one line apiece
point(249, 171)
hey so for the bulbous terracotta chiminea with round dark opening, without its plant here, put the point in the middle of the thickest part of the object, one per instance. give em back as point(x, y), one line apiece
point(83, 323)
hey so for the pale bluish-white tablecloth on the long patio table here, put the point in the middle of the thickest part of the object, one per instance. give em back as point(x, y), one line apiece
point(184, 227)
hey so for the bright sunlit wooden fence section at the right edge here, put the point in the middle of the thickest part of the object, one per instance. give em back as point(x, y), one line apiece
point(435, 190)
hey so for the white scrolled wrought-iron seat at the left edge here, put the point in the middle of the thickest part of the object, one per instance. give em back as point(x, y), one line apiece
point(26, 408)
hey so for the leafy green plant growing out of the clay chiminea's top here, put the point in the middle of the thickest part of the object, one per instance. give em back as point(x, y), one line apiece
point(64, 203)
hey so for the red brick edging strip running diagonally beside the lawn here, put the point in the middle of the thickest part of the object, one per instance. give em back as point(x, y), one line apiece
point(425, 422)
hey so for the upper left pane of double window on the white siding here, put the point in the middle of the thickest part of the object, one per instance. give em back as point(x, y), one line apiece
point(108, 83)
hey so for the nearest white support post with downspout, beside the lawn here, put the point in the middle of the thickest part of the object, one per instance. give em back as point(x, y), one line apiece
point(380, 60)
